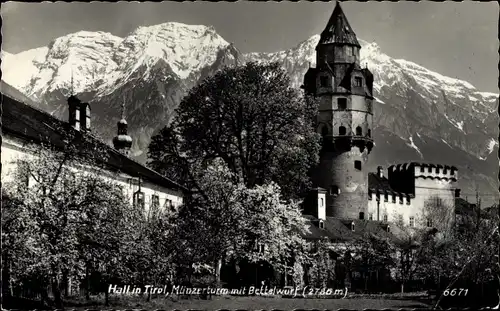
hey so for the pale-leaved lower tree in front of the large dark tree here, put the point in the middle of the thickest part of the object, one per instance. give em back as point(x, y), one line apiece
point(230, 220)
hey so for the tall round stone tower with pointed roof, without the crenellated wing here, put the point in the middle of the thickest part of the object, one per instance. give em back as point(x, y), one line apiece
point(345, 118)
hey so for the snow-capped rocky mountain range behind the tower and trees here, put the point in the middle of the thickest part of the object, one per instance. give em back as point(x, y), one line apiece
point(419, 115)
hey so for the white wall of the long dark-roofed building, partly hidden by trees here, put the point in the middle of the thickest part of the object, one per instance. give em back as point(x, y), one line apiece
point(13, 150)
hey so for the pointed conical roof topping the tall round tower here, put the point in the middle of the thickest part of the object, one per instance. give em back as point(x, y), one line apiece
point(338, 29)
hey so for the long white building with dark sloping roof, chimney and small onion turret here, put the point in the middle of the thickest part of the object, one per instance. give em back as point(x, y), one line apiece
point(24, 127)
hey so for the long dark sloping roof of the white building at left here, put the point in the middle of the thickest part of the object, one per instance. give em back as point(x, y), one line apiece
point(33, 125)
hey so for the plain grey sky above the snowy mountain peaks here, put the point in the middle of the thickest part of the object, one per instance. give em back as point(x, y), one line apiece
point(457, 39)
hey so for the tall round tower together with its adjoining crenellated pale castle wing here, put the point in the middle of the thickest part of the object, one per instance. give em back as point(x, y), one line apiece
point(345, 188)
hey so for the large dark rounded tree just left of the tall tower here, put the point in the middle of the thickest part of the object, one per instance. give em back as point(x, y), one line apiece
point(252, 119)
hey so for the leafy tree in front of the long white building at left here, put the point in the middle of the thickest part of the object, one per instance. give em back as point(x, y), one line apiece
point(55, 193)
